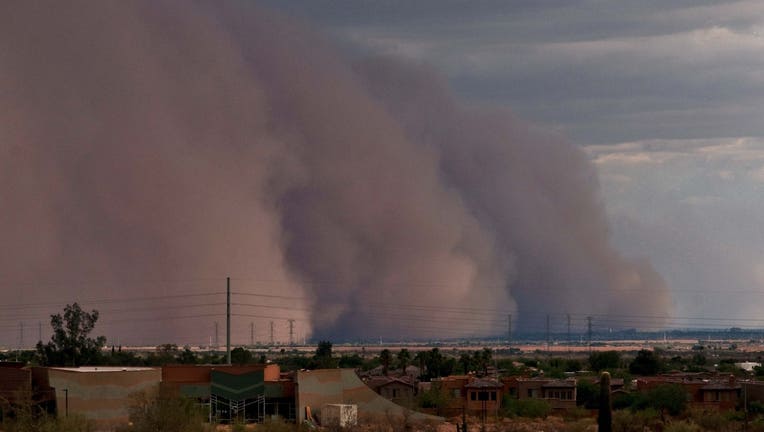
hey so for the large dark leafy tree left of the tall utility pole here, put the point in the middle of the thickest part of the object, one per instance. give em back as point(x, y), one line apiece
point(70, 344)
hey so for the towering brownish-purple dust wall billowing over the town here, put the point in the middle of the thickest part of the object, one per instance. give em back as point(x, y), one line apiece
point(148, 149)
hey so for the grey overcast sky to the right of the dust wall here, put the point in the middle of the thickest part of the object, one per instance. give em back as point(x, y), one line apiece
point(667, 97)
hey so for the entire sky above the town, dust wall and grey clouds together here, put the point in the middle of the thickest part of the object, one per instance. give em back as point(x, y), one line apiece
point(376, 170)
